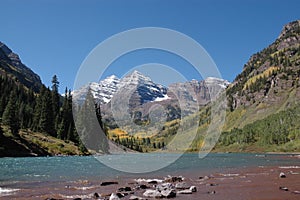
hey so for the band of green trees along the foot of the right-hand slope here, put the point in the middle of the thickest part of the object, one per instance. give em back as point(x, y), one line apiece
point(275, 129)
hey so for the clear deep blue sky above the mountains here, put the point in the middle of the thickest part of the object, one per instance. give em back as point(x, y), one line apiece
point(54, 37)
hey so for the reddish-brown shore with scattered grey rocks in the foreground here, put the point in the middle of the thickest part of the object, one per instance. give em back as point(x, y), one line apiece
point(280, 182)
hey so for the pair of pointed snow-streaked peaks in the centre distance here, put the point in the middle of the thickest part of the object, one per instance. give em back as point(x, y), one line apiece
point(145, 90)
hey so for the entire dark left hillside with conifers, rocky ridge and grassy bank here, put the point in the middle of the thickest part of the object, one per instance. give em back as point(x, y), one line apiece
point(33, 121)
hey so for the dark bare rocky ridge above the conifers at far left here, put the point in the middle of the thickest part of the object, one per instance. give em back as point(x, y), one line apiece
point(11, 65)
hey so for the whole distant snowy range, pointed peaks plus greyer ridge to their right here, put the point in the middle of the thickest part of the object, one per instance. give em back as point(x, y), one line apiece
point(145, 90)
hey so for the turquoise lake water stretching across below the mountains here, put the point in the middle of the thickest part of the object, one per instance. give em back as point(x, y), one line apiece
point(75, 167)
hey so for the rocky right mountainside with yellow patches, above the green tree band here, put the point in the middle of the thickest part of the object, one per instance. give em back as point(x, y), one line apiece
point(269, 81)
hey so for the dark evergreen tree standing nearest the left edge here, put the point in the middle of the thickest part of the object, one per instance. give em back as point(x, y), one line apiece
point(10, 116)
